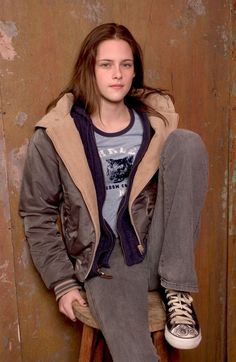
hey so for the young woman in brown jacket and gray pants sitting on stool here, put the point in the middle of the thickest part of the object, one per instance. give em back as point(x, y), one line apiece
point(128, 188)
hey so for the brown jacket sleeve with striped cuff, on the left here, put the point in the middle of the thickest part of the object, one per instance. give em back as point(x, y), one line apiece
point(40, 200)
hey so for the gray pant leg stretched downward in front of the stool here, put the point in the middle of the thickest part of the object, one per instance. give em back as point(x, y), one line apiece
point(120, 306)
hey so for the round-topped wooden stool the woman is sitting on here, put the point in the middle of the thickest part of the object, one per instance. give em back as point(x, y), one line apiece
point(92, 342)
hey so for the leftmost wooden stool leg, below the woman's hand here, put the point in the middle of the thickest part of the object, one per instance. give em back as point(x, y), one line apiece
point(86, 345)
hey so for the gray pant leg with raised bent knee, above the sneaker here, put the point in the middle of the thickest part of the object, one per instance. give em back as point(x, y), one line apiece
point(182, 185)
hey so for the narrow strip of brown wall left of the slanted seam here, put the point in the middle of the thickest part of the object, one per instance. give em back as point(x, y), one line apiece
point(9, 319)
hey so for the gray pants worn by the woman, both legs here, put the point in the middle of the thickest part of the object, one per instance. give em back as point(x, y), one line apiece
point(120, 304)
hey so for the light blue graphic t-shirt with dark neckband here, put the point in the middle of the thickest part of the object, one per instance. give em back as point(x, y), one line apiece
point(117, 152)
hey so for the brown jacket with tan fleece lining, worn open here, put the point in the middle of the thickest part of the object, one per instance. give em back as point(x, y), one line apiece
point(58, 184)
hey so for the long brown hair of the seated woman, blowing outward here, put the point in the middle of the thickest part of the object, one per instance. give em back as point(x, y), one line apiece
point(83, 83)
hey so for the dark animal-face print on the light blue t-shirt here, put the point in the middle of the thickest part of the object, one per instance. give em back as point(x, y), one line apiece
point(119, 169)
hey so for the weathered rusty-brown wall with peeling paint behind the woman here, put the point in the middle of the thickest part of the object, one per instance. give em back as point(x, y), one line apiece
point(186, 47)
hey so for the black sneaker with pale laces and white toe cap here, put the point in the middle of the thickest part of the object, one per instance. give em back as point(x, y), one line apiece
point(182, 329)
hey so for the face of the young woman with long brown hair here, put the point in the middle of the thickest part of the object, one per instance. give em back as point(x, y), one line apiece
point(114, 70)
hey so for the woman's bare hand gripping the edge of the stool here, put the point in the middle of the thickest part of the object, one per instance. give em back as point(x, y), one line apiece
point(65, 303)
